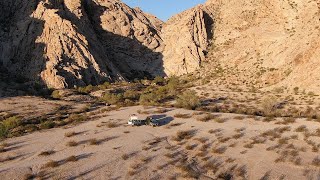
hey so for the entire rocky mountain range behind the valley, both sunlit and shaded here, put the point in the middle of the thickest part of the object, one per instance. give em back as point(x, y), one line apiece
point(66, 43)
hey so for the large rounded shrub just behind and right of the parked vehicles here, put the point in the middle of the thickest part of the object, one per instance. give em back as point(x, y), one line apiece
point(188, 100)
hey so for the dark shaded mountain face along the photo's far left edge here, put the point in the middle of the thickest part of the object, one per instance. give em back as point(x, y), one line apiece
point(19, 49)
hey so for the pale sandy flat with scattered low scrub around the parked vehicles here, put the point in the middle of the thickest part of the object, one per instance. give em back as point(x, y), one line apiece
point(192, 144)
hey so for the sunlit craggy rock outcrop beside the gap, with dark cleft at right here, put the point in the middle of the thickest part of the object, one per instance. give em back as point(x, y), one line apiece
point(186, 37)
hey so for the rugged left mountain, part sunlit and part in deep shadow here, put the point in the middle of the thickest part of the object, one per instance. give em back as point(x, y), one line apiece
point(74, 43)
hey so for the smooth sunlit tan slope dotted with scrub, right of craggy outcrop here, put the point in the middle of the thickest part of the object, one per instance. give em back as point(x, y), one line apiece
point(266, 43)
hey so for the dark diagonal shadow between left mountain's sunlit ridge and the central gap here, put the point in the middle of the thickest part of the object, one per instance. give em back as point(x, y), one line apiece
point(121, 56)
